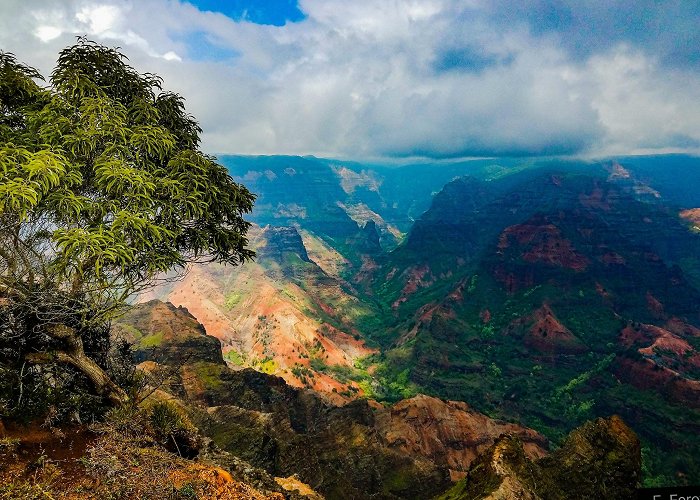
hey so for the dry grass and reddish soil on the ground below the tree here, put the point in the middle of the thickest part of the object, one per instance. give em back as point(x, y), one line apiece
point(122, 459)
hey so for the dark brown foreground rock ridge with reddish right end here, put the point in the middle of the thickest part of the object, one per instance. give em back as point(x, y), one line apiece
point(359, 450)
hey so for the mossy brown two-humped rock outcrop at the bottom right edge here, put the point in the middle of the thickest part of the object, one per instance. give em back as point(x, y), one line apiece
point(601, 459)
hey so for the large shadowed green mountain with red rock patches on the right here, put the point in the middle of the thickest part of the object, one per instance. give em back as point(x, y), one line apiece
point(559, 297)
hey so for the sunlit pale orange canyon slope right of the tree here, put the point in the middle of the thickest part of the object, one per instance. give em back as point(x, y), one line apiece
point(277, 314)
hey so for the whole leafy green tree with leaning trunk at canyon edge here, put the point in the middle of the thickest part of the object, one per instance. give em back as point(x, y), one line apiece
point(103, 188)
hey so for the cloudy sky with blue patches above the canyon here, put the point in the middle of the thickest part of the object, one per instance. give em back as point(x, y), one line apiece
point(396, 79)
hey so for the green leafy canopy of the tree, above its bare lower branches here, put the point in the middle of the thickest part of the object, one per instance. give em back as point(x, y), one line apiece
point(102, 171)
